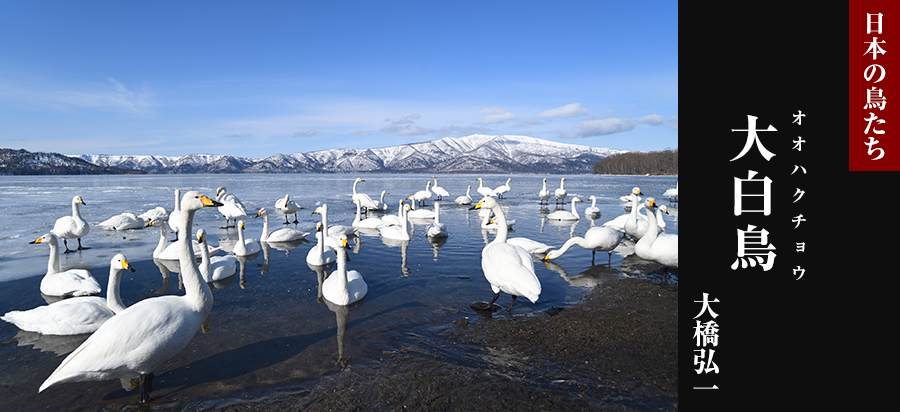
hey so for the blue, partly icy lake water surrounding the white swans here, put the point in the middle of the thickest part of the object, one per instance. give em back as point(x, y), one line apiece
point(268, 329)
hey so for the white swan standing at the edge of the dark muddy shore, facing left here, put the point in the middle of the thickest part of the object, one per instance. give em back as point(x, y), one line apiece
point(508, 268)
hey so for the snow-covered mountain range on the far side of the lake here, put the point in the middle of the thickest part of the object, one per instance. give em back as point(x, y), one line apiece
point(471, 154)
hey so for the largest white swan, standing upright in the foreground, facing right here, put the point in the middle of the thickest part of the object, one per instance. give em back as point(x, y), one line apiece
point(133, 343)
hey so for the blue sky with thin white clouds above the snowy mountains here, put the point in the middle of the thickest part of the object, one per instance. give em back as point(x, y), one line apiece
point(254, 79)
